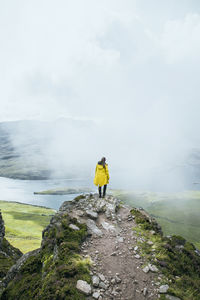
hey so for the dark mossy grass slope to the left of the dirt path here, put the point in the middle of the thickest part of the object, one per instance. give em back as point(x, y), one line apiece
point(52, 273)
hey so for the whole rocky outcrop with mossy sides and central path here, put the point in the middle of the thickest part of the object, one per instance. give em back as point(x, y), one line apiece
point(101, 249)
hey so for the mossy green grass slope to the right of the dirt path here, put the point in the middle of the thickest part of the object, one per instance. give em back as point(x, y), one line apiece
point(175, 257)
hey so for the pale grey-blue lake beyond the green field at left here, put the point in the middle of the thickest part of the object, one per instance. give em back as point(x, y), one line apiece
point(23, 190)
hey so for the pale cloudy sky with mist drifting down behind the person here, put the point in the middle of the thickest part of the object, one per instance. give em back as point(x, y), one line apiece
point(129, 67)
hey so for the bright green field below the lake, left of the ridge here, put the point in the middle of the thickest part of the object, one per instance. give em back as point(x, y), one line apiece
point(24, 224)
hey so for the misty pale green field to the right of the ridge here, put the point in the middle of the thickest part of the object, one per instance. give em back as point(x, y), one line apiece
point(177, 213)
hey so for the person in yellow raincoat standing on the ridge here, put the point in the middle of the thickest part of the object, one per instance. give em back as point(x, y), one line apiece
point(101, 176)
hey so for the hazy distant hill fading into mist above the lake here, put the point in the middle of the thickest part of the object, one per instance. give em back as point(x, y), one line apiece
point(40, 150)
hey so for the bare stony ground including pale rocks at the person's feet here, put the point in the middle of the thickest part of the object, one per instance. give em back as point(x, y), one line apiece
point(118, 270)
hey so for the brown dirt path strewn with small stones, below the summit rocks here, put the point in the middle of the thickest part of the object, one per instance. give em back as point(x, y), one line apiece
point(117, 264)
